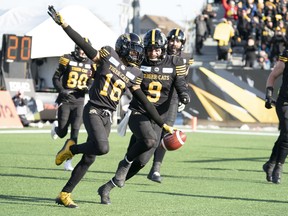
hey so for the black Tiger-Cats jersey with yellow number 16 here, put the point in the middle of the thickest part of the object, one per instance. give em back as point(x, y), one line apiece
point(113, 78)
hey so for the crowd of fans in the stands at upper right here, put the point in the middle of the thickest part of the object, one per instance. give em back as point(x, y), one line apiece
point(260, 28)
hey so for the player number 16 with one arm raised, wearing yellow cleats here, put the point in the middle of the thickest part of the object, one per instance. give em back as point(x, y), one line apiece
point(117, 70)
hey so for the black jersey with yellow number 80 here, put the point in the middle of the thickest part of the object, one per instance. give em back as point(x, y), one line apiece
point(71, 74)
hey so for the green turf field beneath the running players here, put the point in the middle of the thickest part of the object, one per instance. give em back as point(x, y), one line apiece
point(213, 174)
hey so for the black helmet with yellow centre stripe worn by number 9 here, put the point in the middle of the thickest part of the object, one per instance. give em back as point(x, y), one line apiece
point(154, 38)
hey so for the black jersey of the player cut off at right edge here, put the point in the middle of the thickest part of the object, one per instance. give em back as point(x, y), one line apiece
point(283, 93)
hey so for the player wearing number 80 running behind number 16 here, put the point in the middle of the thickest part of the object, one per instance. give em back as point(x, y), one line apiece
point(71, 80)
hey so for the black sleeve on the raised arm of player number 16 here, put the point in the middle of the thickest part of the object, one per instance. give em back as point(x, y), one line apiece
point(78, 39)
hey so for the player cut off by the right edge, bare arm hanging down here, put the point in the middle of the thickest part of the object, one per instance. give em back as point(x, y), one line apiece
point(274, 166)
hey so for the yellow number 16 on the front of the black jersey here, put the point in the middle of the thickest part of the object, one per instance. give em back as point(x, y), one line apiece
point(116, 90)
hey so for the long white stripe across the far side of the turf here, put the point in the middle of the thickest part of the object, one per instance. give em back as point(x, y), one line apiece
point(41, 131)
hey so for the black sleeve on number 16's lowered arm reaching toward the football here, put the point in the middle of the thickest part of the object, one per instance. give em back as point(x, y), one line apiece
point(149, 107)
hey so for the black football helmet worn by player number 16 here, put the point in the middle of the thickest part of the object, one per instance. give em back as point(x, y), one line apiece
point(129, 46)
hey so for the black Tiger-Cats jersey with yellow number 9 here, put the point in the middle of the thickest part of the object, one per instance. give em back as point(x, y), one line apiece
point(159, 81)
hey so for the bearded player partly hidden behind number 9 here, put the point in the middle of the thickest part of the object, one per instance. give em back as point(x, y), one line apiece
point(176, 41)
